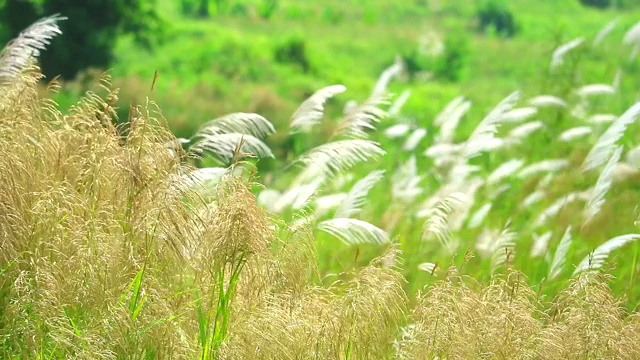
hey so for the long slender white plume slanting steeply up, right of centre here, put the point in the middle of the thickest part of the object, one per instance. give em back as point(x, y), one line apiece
point(482, 136)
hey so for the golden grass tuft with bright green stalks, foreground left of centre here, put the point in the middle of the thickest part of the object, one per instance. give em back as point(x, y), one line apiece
point(235, 237)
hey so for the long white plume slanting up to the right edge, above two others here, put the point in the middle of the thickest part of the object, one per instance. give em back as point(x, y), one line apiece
point(605, 145)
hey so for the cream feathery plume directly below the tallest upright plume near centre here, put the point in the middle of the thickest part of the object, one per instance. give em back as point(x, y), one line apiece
point(356, 123)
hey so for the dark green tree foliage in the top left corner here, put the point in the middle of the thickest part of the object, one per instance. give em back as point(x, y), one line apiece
point(90, 33)
